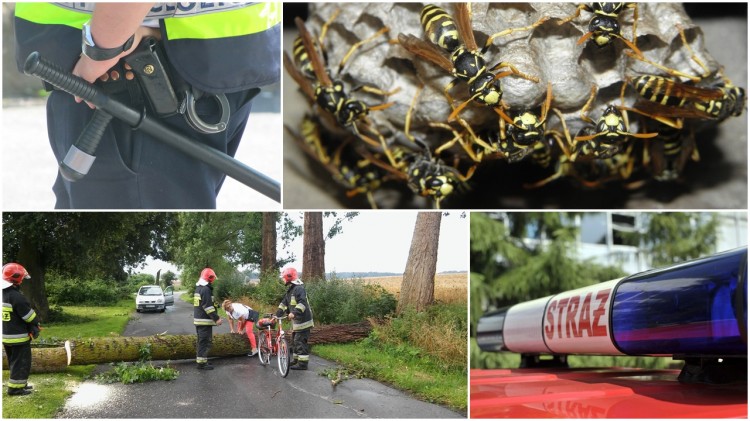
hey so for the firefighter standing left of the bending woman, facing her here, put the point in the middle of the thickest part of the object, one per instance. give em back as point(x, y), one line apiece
point(205, 317)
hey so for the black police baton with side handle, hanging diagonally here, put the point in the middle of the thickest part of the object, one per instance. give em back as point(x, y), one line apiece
point(51, 73)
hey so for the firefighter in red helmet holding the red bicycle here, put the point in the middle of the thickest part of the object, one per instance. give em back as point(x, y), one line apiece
point(297, 307)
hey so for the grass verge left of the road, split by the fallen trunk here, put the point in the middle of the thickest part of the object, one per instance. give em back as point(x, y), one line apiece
point(51, 390)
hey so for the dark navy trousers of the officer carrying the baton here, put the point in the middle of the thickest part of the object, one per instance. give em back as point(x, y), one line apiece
point(132, 170)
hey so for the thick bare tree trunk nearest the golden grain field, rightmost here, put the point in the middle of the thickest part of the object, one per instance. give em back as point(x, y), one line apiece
point(418, 283)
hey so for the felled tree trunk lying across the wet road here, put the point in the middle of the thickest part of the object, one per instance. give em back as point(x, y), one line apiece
point(167, 347)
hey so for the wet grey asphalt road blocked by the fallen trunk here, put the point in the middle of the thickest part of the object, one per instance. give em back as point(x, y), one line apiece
point(239, 387)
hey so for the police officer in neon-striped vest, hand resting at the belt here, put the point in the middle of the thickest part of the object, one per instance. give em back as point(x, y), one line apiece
point(213, 48)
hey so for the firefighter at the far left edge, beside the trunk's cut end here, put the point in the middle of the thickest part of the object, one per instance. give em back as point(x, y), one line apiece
point(20, 325)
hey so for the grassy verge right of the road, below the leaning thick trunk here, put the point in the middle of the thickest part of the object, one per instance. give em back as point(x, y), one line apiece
point(421, 353)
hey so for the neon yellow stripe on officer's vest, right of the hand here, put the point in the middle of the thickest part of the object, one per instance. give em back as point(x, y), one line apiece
point(252, 19)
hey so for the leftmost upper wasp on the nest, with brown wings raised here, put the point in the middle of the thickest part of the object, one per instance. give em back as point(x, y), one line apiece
point(328, 93)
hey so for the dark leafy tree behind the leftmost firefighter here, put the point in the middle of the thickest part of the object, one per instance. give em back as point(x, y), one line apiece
point(81, 244)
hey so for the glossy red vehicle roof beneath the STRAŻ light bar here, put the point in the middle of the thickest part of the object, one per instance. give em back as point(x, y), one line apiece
point(599, 393)
